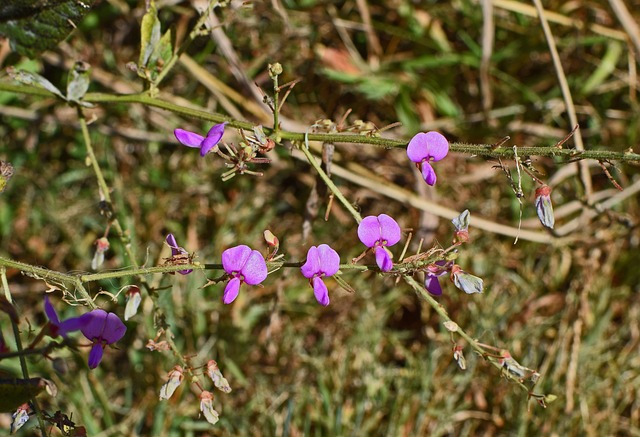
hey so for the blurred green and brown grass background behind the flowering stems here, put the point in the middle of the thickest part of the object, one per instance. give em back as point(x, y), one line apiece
point(378, 361)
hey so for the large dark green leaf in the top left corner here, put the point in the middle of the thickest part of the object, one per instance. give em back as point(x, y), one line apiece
point(37, 25)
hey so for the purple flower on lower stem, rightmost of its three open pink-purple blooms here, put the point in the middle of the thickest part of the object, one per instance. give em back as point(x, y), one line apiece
point(379, 233)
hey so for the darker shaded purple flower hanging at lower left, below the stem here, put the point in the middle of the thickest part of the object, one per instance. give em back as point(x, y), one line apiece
point(101, 328)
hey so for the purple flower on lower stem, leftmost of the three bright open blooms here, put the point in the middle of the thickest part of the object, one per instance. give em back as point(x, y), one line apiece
point(243, 265)
